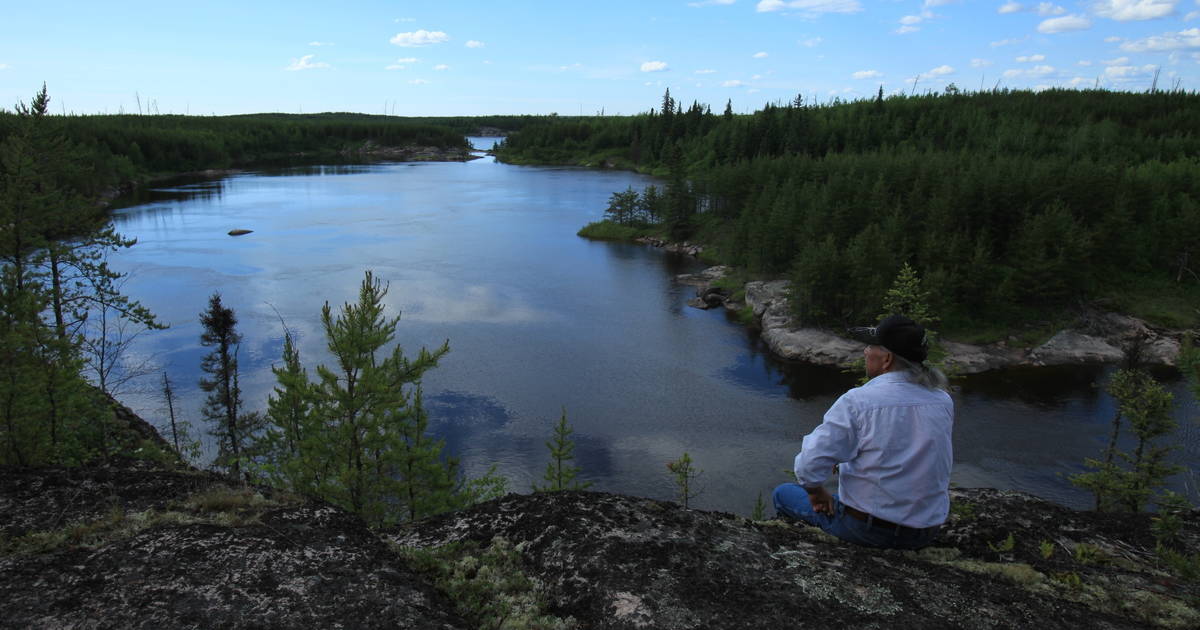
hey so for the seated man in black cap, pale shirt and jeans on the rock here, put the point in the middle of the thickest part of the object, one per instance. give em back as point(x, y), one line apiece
point(890, 441)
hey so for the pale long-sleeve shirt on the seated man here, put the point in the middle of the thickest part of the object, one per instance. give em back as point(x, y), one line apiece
point(892, 442)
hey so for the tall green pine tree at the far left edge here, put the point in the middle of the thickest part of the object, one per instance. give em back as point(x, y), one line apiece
point(47, 413)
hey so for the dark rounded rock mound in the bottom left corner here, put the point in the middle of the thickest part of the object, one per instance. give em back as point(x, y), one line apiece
point(189, 550)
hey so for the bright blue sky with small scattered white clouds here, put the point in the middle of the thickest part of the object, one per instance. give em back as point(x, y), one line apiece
point(573, 58)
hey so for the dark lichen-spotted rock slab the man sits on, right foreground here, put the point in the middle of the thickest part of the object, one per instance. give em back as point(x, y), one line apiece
point(621, 562)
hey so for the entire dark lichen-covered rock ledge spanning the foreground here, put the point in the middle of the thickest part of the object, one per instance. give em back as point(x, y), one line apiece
point(604, 561)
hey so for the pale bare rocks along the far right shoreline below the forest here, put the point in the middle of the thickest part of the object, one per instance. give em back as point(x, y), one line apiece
point(1100, 338)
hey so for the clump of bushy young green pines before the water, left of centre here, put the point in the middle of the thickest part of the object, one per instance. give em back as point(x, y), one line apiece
point(359, 435)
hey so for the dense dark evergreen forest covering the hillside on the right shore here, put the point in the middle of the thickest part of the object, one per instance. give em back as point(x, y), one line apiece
point(1011, 205)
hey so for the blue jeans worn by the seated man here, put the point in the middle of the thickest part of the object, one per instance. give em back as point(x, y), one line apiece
point(791, 501)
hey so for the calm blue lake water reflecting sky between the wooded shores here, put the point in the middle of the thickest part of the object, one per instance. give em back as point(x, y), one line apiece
point(485, 255)
